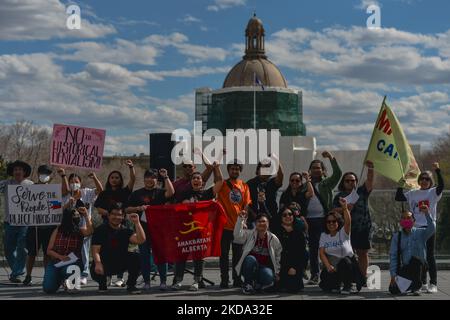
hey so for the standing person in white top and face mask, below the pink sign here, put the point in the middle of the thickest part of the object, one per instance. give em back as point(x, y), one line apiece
point(76, 195)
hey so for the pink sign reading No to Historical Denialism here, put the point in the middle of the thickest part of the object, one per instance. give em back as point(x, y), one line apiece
point(77, 147)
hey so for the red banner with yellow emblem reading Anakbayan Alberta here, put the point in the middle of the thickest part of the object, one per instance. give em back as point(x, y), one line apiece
point(182, 232)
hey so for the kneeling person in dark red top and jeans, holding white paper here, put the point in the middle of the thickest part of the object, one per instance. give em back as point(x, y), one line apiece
point(66, 241)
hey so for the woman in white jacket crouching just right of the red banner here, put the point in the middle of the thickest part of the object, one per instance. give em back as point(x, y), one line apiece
point(261, 254)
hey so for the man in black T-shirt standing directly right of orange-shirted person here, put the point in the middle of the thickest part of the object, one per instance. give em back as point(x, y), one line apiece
point(264, 187)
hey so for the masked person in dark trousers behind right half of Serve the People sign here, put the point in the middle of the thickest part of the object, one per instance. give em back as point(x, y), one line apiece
point(38, 237)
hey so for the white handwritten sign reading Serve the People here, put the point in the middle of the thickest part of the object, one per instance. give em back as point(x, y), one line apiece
point(34, 205)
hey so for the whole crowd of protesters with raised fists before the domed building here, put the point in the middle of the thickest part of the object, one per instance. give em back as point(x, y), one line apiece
point(272, 242)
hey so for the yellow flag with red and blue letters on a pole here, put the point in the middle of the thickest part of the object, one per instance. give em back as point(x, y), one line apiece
point(390, 152)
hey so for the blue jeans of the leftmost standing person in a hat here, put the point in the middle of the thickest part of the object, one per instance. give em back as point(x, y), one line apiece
point(15, 248)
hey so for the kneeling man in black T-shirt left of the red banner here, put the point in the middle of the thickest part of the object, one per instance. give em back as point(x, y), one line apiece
point(110, 250)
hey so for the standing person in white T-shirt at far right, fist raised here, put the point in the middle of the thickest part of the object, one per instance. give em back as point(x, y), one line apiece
point(428, 195)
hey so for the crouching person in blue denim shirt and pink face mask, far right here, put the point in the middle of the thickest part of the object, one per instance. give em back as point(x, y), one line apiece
point(408, 250)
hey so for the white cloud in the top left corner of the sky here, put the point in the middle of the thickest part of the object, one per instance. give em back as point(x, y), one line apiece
point(43, 20)
